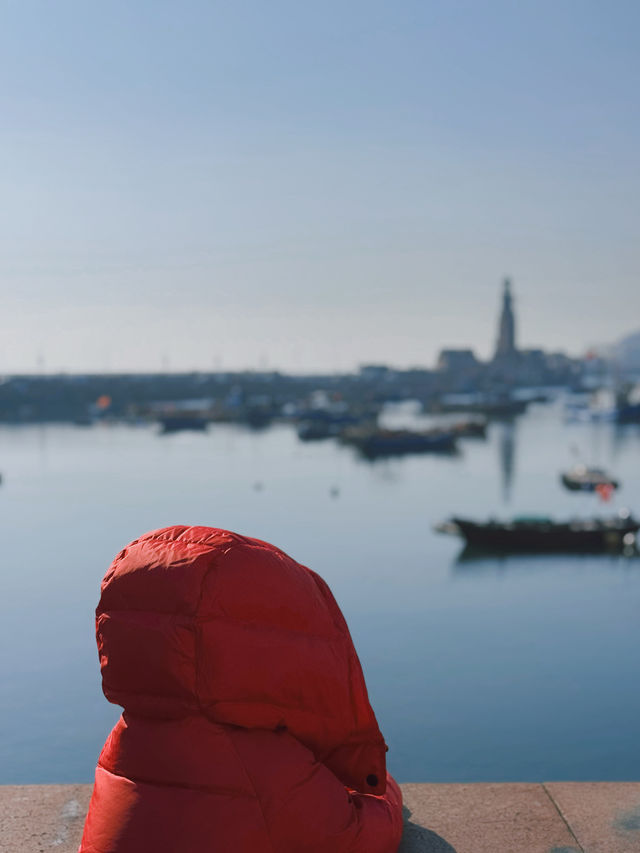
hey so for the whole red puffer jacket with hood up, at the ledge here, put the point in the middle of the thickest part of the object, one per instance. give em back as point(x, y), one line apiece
point(246, 726)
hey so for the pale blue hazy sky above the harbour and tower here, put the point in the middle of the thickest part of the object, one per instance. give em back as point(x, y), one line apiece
point(314, 185)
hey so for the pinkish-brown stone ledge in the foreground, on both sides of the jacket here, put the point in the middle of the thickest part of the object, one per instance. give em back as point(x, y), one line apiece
point(560, 817)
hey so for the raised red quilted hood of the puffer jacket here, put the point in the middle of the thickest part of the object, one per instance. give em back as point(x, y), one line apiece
point(198, 620)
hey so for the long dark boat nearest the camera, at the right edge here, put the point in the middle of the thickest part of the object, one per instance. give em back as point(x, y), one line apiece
point(541, 534)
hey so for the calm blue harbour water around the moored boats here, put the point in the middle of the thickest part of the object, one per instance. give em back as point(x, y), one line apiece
point(520, 668)
